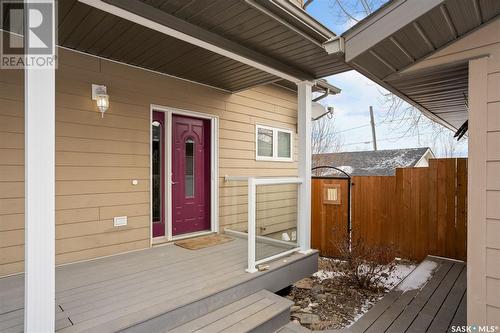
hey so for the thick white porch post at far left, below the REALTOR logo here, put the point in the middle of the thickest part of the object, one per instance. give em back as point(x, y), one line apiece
point(39, 112)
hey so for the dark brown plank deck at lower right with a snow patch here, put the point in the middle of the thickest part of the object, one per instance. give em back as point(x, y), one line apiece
point(434, 307)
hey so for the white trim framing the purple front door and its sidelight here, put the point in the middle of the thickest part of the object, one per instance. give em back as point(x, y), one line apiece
point(214, 166)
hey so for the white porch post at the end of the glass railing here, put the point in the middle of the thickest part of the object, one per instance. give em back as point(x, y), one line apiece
point(304, 100)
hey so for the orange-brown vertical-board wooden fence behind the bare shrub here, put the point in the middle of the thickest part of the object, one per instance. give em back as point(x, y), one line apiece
point(419, 211)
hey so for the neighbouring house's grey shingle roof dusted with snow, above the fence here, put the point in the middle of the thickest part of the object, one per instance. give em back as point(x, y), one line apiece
point(371, 163)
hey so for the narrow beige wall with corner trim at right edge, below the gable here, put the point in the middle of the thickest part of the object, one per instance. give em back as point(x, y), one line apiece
point(484, 177)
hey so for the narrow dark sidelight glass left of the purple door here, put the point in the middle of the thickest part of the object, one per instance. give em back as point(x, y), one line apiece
point(156, 147)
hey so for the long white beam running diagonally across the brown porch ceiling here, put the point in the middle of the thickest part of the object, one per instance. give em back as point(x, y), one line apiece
point(129, 16)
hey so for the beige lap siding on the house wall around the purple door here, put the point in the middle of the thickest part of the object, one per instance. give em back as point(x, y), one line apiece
point(96, 159)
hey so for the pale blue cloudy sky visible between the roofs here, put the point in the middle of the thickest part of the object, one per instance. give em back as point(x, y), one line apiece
point(358, 93)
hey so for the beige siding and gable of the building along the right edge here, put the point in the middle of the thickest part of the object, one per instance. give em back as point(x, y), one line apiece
point(482, 48)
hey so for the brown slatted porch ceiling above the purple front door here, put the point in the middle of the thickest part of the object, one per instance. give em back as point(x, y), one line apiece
point(269, 30)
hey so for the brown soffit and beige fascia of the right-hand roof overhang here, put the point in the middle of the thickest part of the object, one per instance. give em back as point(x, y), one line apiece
point(401, 34)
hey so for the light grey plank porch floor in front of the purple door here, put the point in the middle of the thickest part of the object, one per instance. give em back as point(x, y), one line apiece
point(143, 287)
